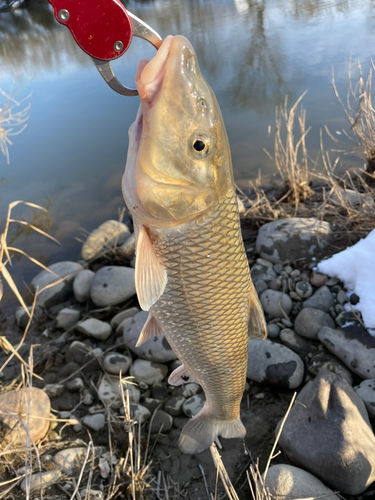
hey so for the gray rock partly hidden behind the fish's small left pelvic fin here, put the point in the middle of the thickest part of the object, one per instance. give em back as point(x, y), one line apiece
point(156, 349)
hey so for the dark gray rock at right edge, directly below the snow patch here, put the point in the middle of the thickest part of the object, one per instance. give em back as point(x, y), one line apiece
point(354, 346)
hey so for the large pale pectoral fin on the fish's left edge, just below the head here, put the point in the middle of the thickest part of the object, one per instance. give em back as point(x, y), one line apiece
point(150, 275)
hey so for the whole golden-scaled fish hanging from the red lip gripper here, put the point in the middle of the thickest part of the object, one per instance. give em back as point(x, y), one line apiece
point(191, 269)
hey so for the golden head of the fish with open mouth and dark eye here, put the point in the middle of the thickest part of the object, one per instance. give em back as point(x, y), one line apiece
point(179, 162)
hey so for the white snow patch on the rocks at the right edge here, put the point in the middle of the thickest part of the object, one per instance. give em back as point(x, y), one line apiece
point(355, 267)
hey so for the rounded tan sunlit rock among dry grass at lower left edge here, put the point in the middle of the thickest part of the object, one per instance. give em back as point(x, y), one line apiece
point(24, 409)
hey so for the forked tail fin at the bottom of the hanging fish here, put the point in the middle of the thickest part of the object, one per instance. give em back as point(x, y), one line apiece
point(202, 430)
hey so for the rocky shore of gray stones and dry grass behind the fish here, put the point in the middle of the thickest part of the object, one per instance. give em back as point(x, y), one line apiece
point(93, 382)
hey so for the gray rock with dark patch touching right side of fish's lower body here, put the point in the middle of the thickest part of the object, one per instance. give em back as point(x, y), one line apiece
point(274, 364)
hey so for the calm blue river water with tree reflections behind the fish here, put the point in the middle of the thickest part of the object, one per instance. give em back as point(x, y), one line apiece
point(71, 155)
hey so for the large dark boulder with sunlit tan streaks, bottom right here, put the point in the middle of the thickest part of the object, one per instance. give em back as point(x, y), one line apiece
point(329, 434)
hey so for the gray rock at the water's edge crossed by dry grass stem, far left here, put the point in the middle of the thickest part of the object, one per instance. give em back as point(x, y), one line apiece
point(57, 293)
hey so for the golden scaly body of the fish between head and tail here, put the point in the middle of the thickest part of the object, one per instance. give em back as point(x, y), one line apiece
point(206, 298)
